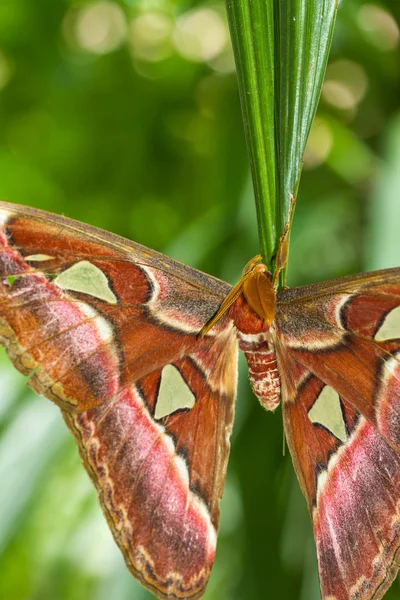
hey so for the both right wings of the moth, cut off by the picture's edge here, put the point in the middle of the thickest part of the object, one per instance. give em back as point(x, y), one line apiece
point(338, 348)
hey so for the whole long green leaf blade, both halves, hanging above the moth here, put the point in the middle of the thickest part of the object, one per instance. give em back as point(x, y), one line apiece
point(281, 49)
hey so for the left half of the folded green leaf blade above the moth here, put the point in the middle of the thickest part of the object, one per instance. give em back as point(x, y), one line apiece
point(252, 31)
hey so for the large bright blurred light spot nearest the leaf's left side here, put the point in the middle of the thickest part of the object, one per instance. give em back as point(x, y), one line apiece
point(200, 35)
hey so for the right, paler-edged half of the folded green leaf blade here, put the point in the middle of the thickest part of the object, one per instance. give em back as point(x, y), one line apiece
point(305, 29)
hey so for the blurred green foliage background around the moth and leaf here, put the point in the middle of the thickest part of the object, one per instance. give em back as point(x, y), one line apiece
point(125, 114)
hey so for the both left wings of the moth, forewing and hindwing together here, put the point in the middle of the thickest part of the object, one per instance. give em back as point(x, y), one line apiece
point(108, 330)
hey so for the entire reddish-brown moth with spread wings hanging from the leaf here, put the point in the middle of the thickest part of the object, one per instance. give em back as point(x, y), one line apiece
point(140, 353)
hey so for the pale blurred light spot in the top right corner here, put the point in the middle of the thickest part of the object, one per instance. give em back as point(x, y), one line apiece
point(379, 27)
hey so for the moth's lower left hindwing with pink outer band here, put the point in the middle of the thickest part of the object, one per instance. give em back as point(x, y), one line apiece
point(160, 480)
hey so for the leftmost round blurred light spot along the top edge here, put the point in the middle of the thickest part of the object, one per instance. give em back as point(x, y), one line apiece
point(101, 27)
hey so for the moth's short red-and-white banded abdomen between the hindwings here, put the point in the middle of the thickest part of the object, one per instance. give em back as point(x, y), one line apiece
point(263, 370)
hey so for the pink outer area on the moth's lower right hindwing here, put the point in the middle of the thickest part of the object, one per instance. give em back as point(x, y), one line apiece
point(357, 517)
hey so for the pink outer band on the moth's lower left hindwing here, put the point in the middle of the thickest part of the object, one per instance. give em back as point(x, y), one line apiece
point(142, 480)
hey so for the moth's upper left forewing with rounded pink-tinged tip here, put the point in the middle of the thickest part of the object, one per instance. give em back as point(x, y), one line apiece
point(91, 311)
